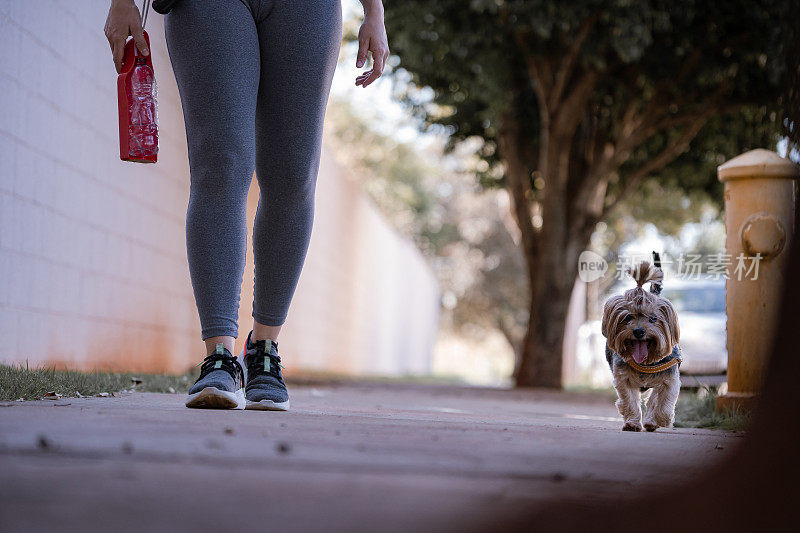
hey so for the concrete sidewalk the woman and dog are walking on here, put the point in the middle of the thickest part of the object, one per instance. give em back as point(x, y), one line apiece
point(348, 457)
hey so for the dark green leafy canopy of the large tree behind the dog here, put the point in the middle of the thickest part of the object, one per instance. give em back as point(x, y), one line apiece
point(684, 55)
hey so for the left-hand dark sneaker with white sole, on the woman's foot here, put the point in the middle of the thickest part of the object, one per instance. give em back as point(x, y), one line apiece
point(220, 383)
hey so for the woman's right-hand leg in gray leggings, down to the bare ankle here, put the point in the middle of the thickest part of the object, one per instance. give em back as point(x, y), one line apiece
point(300, 41)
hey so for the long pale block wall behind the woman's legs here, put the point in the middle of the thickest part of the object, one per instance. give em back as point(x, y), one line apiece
point(93, 266)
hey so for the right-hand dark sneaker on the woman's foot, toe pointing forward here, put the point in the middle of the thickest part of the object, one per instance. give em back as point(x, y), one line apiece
point(265, 388)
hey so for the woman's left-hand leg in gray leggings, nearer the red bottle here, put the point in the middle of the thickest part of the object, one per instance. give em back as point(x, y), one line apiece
point(214, 49)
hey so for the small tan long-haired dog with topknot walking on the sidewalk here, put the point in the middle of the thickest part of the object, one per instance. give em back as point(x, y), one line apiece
point(641, 329)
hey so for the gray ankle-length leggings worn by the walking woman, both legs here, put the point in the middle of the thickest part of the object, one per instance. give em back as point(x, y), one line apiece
point(254, 78)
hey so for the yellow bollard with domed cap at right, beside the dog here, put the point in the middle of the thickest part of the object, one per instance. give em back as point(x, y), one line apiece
point(759, 223)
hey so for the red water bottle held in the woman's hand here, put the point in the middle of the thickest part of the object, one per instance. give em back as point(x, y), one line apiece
point(138, 110)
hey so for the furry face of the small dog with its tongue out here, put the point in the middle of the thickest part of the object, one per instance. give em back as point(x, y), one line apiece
point(640, 325)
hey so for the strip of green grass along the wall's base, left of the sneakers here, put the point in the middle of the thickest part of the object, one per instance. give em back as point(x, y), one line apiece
point(32, 383)
